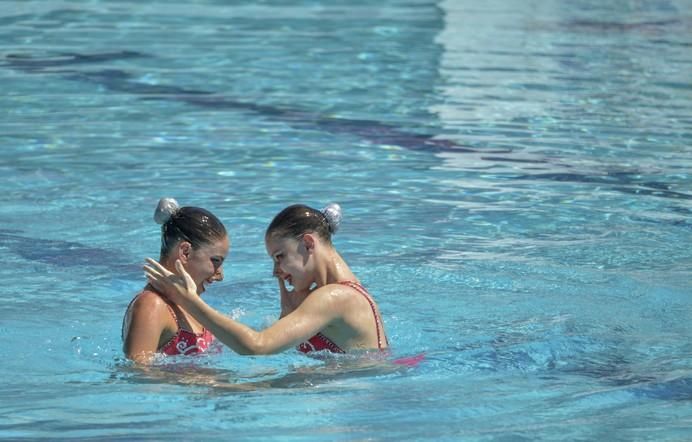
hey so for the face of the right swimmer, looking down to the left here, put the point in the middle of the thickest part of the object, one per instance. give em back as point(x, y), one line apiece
point(292, 261)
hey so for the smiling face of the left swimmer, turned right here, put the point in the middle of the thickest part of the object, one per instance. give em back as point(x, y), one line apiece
point(205, 262)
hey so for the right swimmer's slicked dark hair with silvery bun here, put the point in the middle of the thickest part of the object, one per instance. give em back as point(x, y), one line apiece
point(296, 220)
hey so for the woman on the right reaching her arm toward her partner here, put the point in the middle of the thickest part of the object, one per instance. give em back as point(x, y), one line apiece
point(327, 310)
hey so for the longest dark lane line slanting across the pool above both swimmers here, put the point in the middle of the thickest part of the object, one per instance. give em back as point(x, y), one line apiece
point(373, 131)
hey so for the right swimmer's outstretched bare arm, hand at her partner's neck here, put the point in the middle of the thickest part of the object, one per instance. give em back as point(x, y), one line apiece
point(315, 313)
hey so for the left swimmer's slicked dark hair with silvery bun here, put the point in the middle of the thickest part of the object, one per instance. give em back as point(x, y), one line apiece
point(192, 224)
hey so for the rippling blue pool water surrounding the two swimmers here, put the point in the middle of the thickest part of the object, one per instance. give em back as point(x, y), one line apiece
point(515, 179)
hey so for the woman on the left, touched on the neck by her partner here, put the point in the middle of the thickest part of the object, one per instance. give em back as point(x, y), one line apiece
point(196, 240)
